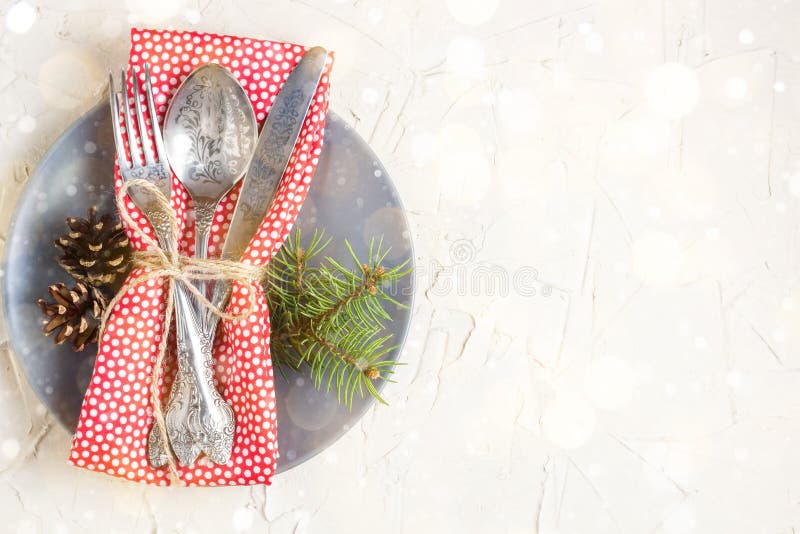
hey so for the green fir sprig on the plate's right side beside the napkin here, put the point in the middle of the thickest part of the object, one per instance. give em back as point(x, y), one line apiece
point(330, 318)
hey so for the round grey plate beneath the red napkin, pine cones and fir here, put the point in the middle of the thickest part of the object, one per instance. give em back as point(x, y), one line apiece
point(351, 198)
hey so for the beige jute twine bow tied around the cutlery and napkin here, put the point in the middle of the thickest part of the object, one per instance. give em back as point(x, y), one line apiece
point(168, 264)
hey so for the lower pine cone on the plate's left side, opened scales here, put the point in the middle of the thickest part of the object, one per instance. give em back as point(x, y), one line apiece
point(75, 313)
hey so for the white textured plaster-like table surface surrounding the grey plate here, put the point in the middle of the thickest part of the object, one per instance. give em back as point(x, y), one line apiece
point(604, 200)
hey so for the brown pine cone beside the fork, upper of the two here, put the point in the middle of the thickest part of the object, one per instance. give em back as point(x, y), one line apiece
point(96, 249)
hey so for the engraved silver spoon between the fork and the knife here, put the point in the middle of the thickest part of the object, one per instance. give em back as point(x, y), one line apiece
point(210, 132)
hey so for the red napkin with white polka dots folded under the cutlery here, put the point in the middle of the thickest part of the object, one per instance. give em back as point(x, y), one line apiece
point(117, 410)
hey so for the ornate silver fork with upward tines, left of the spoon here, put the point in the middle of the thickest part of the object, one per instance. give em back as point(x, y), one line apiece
point(198, 419)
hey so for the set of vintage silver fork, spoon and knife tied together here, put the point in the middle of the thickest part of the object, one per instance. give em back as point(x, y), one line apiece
point(211, 143)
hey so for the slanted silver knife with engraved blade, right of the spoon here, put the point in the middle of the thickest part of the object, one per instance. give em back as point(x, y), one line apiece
point(270, 159)
